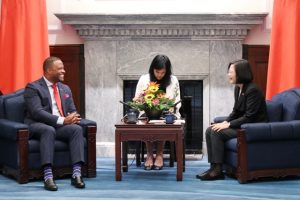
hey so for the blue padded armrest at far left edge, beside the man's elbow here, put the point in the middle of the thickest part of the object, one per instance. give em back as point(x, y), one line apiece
point(10, 129)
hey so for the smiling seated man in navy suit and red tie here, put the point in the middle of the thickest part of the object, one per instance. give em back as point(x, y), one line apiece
point(51, 114)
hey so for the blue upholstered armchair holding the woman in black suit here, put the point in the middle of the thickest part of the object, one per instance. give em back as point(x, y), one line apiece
point(268, 149)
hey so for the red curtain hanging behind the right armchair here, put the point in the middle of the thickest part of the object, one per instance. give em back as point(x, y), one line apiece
point(284, 58)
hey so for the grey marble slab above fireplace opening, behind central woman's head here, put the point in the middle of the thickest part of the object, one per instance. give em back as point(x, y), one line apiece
point(187, 57)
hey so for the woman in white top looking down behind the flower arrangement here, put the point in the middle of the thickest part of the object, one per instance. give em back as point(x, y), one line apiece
point(160, 71)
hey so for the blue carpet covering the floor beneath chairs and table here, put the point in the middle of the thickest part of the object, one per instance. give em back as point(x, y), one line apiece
point(158, 185)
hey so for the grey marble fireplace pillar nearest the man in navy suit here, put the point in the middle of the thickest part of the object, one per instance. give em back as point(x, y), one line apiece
point(102, 91)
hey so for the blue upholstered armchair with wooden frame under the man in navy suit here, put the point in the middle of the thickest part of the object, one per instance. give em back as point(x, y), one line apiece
point(20, 154)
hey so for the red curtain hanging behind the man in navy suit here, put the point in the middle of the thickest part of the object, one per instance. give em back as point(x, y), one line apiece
point(23, 42)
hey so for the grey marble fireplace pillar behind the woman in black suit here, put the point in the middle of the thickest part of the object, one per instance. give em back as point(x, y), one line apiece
point(218, 92)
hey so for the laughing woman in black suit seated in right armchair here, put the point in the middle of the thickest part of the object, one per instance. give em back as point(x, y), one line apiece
point(249, 107)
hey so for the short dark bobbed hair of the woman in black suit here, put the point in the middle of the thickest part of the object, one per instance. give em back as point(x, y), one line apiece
point(243, 71)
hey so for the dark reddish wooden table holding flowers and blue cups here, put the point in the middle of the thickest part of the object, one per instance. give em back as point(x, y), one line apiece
point(149, 132)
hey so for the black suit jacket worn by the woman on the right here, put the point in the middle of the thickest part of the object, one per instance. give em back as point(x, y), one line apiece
point(250, 107)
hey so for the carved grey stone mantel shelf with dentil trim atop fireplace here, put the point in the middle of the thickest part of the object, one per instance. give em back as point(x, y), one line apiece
point(167, 26)
